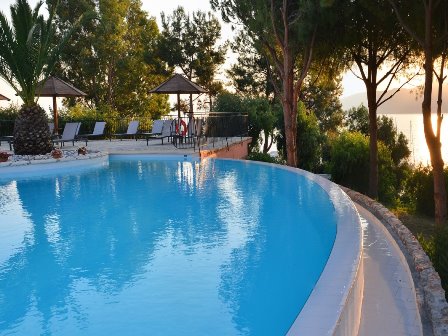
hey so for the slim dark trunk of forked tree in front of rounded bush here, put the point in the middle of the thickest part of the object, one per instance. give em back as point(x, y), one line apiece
point(373, 132)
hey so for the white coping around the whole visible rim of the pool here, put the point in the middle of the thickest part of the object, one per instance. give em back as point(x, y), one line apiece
point(334, 306)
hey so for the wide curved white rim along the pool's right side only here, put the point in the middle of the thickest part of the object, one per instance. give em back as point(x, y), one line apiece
point(334, 305)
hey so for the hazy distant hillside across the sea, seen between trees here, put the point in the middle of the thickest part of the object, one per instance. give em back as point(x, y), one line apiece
point(405, 101)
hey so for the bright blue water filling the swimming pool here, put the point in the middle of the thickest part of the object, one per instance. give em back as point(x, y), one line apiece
point(161, 247)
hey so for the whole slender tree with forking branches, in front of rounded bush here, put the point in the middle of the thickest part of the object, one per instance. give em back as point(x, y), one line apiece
point(381, 50)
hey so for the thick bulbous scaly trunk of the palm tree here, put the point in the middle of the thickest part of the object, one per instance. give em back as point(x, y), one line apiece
point(31, 132)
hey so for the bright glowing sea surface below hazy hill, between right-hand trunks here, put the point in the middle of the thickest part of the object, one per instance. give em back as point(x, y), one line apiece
point(412, 127)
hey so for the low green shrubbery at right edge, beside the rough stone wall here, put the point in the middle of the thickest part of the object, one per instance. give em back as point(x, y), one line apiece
point(436, 247)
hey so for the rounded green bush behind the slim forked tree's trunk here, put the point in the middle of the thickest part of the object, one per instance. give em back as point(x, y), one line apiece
point(349, 165)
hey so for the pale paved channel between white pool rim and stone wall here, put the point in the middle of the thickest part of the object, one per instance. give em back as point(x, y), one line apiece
point(389, 306)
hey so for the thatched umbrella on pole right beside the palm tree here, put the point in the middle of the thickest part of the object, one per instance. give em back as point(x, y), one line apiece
point(55, 87)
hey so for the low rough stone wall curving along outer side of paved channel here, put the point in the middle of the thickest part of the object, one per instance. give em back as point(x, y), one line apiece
point(434, 302)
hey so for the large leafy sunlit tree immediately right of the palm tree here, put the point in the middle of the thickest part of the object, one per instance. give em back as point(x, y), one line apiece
point(113, 59)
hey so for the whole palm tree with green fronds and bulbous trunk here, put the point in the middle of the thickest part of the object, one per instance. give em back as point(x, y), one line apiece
point(28, 54)
